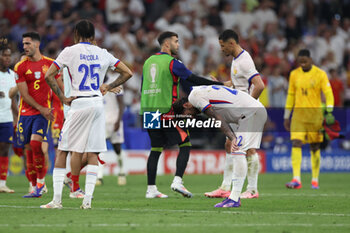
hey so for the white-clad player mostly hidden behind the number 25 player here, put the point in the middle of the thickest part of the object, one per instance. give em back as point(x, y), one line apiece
point(114, 109)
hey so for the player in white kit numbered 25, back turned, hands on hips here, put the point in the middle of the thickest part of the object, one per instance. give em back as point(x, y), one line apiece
point(84, 128)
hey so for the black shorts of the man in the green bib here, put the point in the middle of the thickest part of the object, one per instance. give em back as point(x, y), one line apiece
point(168, 136)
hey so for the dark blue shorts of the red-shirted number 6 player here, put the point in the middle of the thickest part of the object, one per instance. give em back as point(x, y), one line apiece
point(28, 125)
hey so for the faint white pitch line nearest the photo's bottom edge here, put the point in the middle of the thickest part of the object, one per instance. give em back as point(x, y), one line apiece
point(182, 225)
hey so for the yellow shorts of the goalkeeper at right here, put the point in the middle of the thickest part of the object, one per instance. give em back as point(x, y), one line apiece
point(306, 132)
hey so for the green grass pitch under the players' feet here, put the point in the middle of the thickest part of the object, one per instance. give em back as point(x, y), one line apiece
point(125, 209)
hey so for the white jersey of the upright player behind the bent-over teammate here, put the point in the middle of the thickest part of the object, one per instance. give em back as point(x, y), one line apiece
point(243, 71)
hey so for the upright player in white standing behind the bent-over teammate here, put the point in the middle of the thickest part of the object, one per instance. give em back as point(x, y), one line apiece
point(244, 77)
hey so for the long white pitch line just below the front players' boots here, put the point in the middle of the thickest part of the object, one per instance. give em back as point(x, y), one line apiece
point(216, 211)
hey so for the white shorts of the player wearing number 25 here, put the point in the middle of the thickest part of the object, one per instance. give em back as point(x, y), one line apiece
point(84, 128)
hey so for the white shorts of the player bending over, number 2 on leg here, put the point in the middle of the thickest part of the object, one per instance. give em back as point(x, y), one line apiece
point(249, 131)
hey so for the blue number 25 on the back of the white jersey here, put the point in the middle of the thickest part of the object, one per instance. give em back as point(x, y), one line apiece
point(91, 78)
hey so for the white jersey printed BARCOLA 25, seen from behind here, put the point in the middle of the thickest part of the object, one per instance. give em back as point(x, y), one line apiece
point(87, 66)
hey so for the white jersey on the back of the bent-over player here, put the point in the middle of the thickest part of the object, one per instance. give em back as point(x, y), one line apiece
point(231, 104)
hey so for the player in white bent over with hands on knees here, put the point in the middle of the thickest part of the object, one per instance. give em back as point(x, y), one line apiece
point(229, 106)
